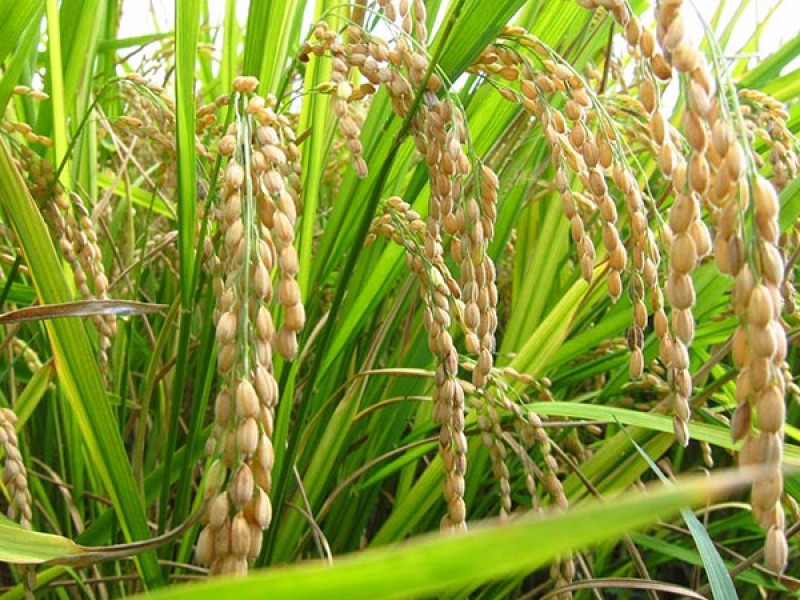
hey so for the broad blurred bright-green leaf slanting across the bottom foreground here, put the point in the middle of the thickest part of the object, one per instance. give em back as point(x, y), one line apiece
point(435, 564)
